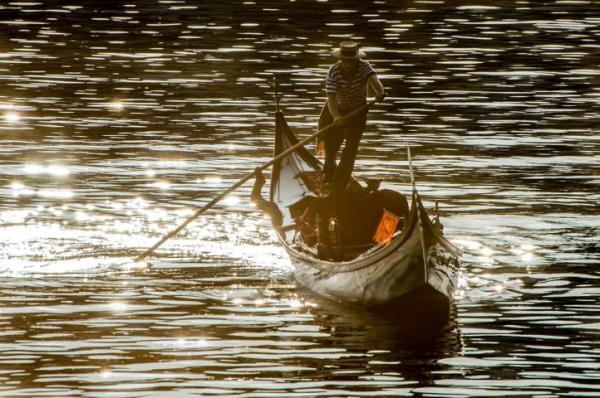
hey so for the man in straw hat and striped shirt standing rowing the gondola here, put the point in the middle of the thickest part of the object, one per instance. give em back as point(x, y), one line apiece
point(346, 88)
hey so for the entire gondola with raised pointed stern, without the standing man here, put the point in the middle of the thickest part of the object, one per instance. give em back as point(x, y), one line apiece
point(416, 259)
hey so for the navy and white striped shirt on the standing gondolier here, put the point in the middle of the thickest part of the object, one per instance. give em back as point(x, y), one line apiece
point(352, 92)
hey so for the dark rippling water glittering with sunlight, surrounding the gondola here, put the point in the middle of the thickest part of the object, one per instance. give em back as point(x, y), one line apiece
point(119, 117)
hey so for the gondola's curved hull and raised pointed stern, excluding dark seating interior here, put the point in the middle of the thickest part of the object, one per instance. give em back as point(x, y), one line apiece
point(417, 261)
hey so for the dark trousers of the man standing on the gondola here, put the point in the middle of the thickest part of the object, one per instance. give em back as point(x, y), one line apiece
point(351, 132)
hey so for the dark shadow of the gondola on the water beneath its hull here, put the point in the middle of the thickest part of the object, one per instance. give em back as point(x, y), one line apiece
point(412, 334)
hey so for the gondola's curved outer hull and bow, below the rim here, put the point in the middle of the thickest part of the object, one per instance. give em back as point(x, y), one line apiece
point(386, 275)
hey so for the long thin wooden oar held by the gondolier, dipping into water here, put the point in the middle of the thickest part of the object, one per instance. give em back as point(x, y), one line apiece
point(248, 176)
